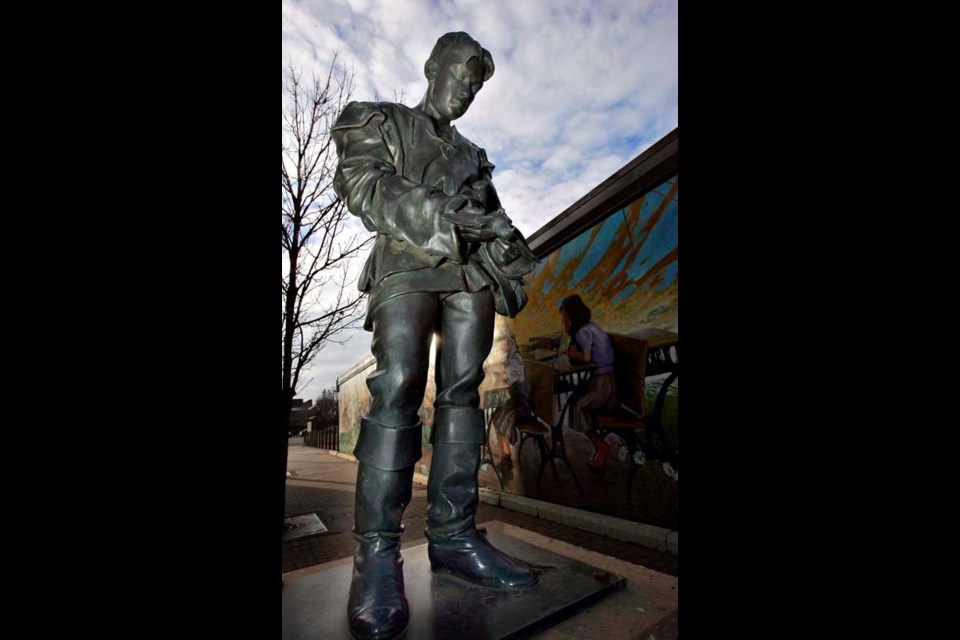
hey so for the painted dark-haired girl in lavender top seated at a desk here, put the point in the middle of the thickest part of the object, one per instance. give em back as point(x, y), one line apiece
point(590, 343)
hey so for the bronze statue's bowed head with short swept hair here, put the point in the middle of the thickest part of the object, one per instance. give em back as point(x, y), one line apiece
point(456, 70)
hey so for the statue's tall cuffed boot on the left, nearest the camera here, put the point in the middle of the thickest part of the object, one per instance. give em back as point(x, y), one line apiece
point(377, 608)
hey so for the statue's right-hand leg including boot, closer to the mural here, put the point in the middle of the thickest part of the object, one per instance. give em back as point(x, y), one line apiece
point(455, 546)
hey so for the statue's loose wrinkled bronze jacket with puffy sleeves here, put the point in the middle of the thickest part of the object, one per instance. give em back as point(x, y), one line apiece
point(398, 175)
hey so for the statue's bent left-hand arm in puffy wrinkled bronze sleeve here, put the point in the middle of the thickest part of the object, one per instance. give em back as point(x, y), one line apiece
point(367, 181)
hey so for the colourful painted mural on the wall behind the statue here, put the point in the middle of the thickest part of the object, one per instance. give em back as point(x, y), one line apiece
point(626, 270)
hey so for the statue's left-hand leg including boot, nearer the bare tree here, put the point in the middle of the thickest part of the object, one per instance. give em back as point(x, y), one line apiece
point(387, 449)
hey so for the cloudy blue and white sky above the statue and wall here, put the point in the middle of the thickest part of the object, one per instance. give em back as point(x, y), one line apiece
point(580, 88)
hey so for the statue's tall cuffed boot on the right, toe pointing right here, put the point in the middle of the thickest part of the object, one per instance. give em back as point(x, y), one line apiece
point(455, 546)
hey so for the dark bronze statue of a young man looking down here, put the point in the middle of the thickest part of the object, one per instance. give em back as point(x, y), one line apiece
point(445, 259)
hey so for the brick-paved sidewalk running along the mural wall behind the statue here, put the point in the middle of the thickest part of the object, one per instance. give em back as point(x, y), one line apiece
point(324, 484)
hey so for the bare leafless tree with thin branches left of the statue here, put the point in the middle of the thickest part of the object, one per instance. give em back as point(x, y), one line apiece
point(319, 302)
